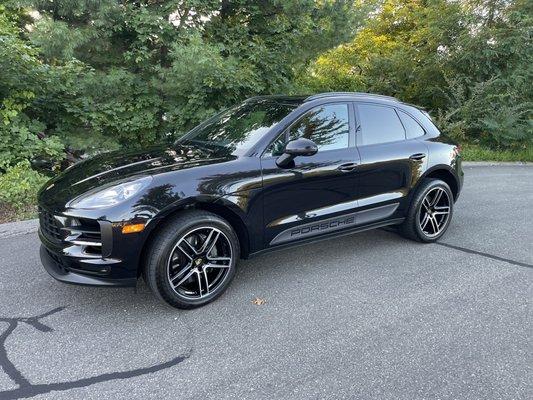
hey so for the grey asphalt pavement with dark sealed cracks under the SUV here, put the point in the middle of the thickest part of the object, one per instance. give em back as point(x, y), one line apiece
point(364, 316)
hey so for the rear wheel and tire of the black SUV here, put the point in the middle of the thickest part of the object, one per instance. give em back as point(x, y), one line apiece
point(429, 229)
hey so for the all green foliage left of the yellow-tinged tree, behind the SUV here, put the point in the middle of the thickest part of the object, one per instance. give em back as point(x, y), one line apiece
point(85, 75)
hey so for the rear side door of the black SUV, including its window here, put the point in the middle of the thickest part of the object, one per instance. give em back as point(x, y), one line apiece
point(391, 161)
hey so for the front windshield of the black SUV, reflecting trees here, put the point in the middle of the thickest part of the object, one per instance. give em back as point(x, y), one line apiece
point(238, 128)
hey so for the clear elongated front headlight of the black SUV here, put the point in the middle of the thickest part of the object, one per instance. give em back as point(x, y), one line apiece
point(100, 198)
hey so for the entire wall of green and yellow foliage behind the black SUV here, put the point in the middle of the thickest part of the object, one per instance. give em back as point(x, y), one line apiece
point(93, 75)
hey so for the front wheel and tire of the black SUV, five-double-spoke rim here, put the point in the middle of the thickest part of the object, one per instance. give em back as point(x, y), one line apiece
point(192, 259)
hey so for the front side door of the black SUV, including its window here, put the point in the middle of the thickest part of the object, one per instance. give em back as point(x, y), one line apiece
point(316, 194)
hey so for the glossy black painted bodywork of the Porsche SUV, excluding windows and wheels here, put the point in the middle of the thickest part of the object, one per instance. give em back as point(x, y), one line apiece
point(316, 196)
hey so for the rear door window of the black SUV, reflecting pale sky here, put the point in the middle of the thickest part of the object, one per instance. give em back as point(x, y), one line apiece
point(379, 124)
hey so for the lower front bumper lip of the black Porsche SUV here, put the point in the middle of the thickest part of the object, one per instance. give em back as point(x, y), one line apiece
point(58, 270)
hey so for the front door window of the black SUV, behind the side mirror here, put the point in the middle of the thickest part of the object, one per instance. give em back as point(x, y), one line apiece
point(328, 126)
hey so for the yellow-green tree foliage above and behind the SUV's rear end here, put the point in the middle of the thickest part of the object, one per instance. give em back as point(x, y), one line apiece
point(470, 63)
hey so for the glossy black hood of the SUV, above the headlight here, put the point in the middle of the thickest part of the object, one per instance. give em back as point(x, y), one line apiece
point(113, 167)
